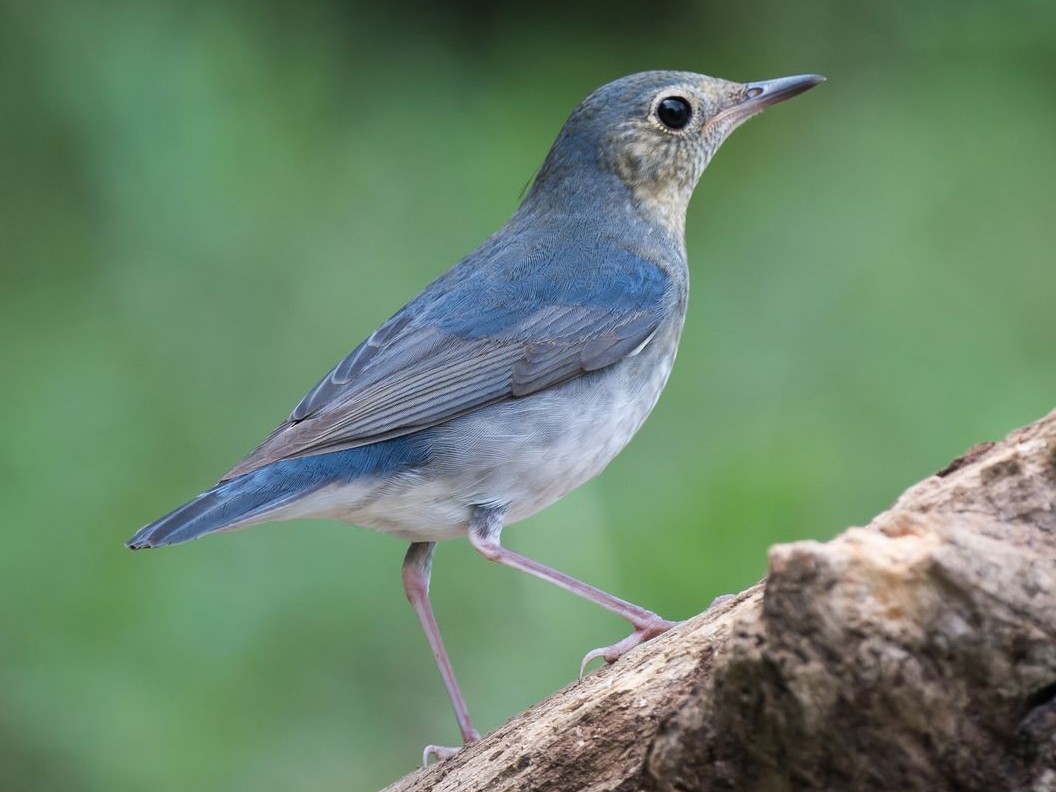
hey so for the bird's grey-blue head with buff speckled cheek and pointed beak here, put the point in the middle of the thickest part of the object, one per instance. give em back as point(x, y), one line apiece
point(656, 133)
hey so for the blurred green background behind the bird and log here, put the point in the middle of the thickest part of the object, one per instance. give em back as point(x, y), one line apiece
point(208, 204)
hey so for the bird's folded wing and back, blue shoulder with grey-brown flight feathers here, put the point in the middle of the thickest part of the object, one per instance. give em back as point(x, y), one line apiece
point(506, 323)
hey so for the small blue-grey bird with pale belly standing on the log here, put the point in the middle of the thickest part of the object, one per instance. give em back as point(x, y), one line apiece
point(521, 372)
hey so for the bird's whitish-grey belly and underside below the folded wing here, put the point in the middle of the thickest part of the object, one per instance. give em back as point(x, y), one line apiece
point(525, 454)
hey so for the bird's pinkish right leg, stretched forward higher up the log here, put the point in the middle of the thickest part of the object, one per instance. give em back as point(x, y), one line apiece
point(485, 529)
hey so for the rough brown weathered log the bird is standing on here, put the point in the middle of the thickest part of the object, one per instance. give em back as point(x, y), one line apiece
point(916, 654)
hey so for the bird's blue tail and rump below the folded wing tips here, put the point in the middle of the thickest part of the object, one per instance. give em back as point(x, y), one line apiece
point(254, 497)
